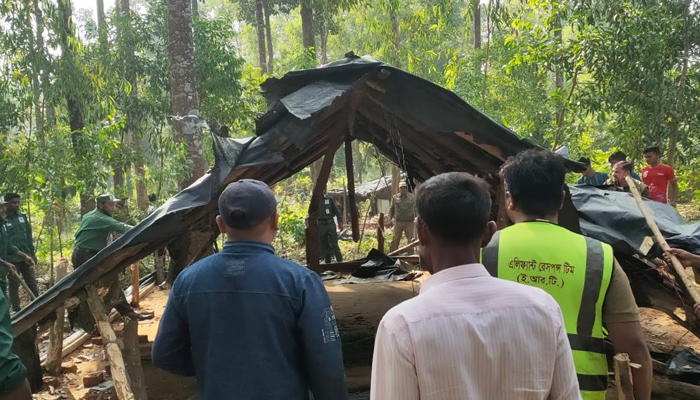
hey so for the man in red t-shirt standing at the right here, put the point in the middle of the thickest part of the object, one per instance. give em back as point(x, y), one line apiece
point(660, 178)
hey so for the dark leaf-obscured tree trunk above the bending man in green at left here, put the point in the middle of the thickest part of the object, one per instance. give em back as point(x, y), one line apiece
point(75, 114)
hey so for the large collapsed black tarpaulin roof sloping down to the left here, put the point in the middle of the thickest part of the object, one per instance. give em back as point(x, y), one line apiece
point(422, 127)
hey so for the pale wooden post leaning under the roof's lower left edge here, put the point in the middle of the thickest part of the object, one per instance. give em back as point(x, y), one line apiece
point(109, 338)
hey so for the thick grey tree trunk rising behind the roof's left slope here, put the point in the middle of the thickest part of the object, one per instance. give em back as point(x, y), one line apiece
point(184, 86)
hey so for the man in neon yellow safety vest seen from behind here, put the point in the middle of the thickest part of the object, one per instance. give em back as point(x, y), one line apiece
point(579, 272)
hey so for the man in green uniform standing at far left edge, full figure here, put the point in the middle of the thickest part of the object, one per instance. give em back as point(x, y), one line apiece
point(19, 231)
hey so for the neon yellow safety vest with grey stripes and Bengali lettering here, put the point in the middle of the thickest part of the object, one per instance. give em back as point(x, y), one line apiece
point(547, 256)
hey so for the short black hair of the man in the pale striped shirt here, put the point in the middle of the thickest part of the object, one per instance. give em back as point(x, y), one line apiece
point(455, 206)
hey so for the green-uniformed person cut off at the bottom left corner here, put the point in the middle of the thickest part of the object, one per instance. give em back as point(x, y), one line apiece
point(13, 382)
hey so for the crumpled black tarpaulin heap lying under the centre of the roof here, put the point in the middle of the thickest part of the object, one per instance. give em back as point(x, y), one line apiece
point(379, 268)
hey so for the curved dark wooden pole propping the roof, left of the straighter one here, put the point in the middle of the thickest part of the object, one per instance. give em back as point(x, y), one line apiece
point(312, 242)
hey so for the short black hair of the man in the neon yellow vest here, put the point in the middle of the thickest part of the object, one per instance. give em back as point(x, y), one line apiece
point(535, 179)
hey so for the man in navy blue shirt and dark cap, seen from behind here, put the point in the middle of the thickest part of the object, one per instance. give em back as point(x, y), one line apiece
point(246, 323)
